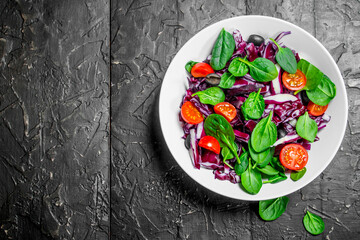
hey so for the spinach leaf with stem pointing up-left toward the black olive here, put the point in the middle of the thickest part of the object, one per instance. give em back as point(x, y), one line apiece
point(285, 58)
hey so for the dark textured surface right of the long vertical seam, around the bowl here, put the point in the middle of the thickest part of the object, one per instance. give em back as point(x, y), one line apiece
point(151, 196)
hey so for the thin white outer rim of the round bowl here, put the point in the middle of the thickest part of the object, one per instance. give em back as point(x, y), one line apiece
point(328, 55)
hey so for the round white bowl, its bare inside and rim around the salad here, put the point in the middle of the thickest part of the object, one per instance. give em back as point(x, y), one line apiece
point(198, 48)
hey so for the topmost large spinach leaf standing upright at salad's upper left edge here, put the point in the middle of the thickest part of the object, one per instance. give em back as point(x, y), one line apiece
point(222, 50)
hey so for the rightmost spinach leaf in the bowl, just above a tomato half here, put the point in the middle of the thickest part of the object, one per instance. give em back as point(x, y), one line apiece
point(323, 93)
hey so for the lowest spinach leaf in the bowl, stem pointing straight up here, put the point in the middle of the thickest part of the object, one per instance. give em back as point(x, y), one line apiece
point(251, 180)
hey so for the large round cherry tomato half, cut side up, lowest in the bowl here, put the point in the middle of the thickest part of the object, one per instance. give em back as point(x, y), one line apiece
point(293, 156)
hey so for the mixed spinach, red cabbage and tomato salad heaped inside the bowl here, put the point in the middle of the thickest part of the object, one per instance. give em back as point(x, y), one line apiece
point(252, 110)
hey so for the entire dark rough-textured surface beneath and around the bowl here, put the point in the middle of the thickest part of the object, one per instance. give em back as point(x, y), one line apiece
point(64, 176)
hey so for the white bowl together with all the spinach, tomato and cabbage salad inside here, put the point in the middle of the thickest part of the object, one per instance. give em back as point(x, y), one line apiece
point(260, 105)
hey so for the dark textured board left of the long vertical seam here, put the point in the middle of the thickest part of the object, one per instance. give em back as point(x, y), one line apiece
point(54, 119)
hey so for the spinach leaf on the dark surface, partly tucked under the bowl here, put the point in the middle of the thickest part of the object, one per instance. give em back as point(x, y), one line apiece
point(271, 209)
